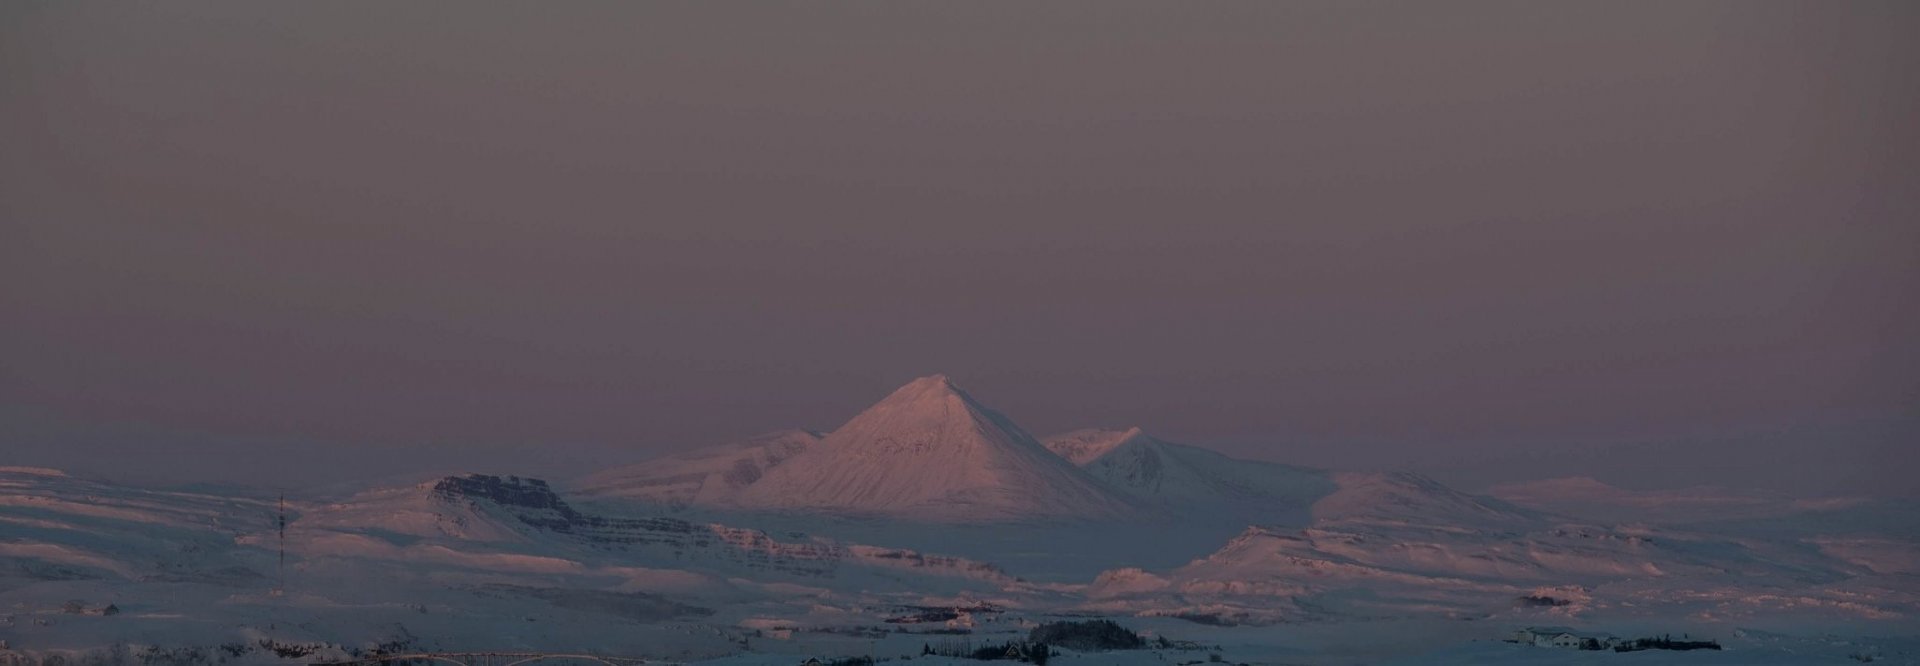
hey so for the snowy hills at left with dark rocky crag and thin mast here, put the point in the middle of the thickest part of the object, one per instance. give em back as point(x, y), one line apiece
point(452, 563)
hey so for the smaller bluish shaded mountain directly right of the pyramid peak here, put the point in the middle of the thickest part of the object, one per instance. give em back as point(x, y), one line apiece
point(1193, 481)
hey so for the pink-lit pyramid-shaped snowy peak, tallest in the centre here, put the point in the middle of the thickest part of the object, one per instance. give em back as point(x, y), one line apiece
point(930, 452)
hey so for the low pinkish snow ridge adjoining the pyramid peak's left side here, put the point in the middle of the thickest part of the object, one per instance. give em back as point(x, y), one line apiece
point(702, 477)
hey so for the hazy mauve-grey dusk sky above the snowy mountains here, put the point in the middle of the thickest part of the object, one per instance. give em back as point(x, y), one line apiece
point(1658, 245)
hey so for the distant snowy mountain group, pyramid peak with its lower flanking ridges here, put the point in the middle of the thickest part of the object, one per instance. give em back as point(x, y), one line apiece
point(934, 454)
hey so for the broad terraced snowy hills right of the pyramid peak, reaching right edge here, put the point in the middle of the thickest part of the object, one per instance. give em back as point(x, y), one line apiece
point(1401, 546)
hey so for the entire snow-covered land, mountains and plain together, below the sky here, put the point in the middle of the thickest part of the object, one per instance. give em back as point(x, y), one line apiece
point(936, 519)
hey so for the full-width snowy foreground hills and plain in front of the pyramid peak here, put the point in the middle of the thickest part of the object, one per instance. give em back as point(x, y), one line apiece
point(510, 563)
